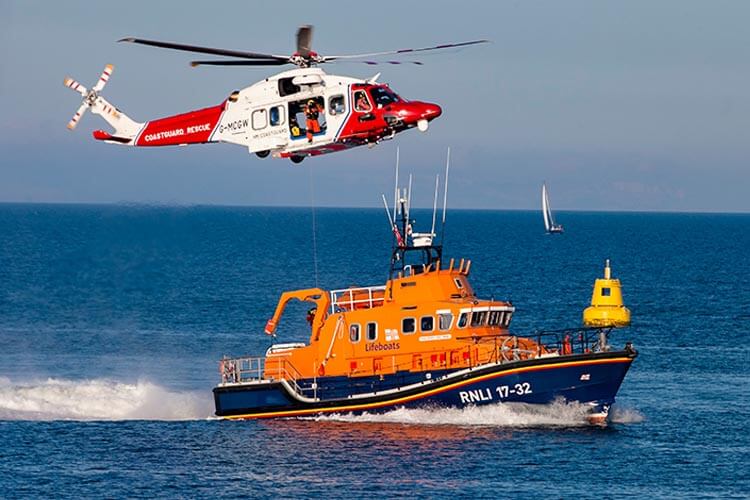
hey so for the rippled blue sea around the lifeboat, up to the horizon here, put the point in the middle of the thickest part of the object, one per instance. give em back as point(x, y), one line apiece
point(113, 319)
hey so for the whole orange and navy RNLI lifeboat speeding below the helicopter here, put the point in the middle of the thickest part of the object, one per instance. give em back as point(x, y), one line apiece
point(423, 338)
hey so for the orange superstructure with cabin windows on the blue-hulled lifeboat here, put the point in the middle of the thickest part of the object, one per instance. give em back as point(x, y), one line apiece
point(424, 319)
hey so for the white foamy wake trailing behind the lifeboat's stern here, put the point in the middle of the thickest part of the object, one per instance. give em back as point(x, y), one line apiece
point(98, 399)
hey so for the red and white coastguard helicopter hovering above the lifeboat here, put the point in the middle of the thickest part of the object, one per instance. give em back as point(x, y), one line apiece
point(294, 114)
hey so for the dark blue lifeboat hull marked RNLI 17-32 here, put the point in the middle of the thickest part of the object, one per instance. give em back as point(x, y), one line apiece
point(589, 378)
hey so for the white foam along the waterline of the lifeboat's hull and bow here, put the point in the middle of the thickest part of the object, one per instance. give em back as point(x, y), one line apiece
point(557, 414)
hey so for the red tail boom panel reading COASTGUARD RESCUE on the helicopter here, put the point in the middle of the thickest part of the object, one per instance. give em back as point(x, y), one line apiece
point(193, 127)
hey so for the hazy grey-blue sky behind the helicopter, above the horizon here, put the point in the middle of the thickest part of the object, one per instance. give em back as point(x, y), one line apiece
point(637, 105)
